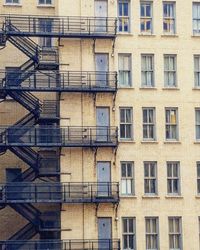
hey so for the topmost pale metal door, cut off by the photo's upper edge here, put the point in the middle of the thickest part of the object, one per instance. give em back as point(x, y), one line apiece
point(101, 12)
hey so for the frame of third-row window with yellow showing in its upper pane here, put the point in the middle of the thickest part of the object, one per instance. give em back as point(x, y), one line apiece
point(170, 124)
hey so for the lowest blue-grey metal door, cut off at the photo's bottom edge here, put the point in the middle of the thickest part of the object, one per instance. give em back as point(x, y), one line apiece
point(105, 233)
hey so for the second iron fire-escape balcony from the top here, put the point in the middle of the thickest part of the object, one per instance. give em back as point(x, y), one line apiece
point(59, 81)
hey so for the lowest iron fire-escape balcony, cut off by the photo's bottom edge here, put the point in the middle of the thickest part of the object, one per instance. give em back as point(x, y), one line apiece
point(105, 244)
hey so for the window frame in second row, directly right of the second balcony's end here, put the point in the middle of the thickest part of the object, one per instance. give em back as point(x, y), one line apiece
point(129, 55)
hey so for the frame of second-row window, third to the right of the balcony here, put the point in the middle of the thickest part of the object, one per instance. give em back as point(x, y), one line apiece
point(168, 72)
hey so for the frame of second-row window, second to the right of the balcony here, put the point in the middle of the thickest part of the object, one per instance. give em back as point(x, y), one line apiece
point(147, 72)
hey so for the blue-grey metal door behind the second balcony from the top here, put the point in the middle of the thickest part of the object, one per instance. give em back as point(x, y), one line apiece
point(101, 63)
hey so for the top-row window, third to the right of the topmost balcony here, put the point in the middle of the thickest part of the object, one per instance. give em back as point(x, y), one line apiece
point(169, 25)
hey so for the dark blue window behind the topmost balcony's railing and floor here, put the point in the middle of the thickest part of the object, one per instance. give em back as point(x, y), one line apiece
point(45, 26)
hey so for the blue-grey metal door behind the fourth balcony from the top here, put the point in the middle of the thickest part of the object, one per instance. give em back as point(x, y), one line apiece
point(103, 179)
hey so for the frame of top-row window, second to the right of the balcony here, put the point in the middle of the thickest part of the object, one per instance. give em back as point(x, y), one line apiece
point(145, 19)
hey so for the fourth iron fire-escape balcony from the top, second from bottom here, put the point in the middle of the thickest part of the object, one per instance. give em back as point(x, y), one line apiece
point(28, 192)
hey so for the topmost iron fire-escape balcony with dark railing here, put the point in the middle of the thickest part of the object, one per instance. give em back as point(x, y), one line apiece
point(66, 27)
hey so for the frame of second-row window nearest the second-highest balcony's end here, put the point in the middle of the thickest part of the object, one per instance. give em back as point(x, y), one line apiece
point(125, 72)
